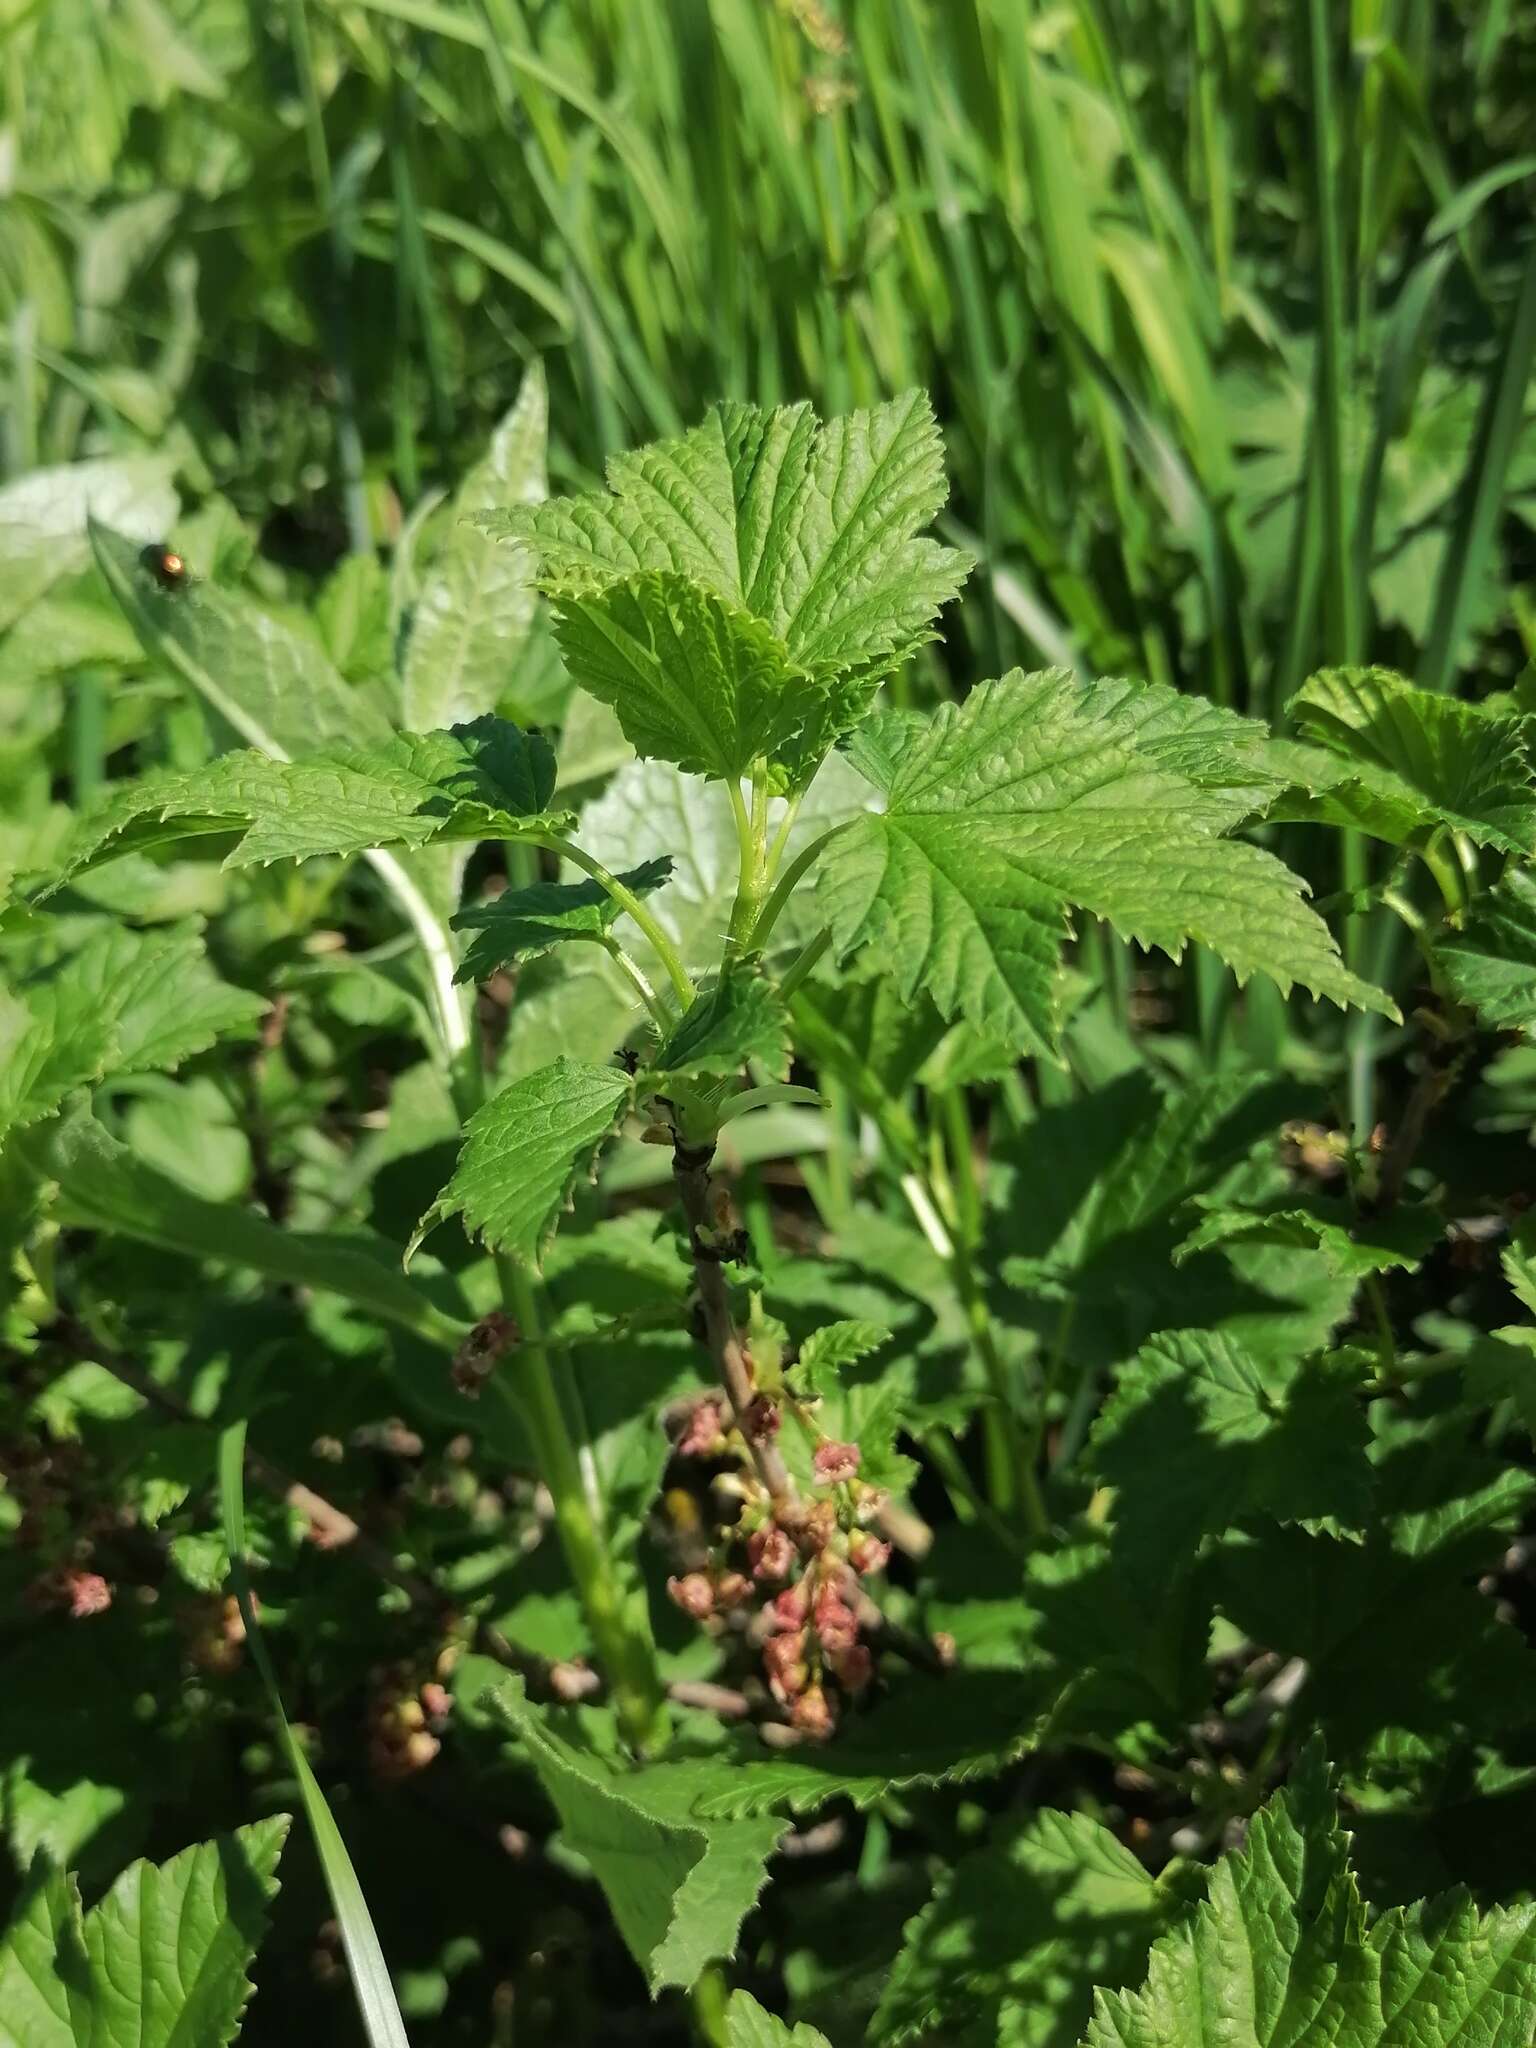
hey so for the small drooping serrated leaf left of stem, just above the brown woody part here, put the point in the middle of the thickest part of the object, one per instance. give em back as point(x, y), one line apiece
point(525, 1150)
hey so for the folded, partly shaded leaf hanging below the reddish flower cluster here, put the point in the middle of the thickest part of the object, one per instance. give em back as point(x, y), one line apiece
point(677, 1883)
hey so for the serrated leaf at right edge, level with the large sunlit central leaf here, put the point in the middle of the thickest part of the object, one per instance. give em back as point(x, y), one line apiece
point(1418, 761)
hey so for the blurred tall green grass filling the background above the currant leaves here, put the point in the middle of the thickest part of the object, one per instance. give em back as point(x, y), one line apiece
point(1228, 306)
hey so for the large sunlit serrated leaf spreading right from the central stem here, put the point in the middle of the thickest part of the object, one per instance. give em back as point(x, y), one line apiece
point(1025, 802)
